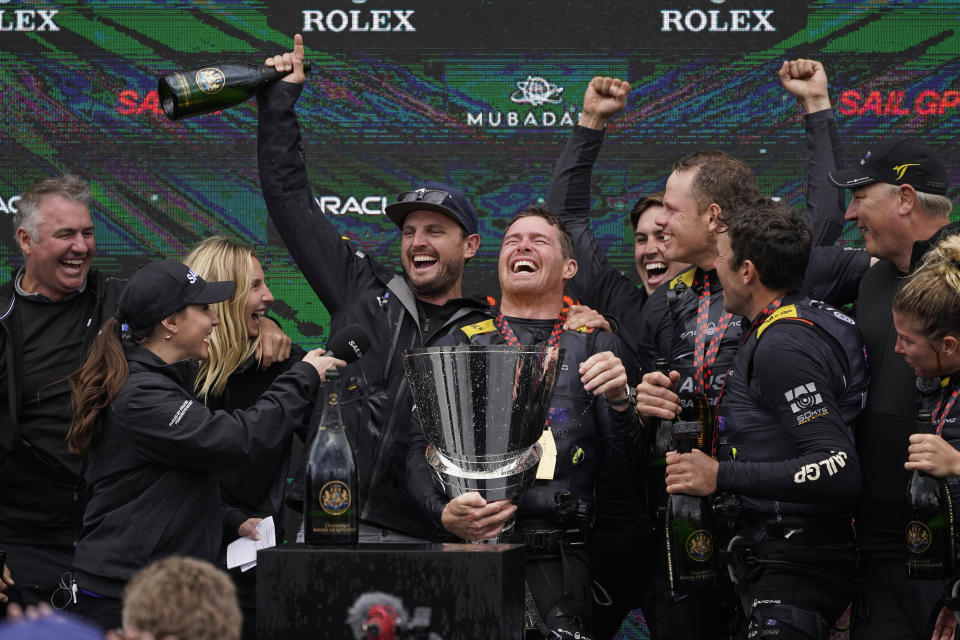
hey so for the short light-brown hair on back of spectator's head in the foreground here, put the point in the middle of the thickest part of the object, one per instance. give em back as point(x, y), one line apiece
point(184, 598)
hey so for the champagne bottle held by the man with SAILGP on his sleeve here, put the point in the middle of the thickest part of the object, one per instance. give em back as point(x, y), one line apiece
point(691, 549)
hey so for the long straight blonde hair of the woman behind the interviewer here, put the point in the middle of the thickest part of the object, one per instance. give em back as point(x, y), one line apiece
point(216, 259)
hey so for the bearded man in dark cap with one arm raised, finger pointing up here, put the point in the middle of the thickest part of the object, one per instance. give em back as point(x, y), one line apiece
point(438, 235)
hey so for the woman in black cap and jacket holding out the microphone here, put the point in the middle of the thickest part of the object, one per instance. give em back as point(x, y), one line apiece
point(153, 451)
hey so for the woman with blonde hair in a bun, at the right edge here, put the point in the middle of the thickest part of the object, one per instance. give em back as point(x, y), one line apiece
point(926, 314)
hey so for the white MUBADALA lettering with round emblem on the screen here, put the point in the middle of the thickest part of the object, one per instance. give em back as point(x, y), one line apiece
point(536, 91)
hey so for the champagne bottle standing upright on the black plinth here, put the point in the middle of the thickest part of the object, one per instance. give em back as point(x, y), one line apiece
point(330, 507)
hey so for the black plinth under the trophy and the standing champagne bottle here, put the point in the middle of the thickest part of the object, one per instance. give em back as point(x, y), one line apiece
point(473, 590)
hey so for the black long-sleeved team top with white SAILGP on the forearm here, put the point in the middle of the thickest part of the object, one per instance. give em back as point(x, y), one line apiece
point(785, 421)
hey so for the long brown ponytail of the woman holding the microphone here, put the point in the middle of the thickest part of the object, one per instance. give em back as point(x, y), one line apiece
point(99, 379)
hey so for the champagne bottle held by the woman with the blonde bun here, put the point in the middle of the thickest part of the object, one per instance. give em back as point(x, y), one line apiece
point(929, 534)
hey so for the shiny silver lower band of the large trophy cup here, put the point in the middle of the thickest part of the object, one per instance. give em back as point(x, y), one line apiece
point(500, 480)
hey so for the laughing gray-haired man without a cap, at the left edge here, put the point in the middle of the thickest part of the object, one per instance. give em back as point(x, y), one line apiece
point(49, 313)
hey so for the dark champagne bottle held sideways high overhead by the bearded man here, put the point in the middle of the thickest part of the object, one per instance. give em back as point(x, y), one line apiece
point(204, 89)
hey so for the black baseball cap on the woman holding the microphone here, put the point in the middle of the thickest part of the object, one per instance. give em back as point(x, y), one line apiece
point(158, 289)
